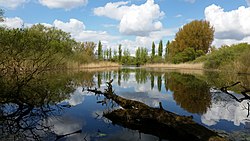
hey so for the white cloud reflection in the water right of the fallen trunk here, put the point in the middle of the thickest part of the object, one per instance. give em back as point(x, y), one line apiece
point(226, 109)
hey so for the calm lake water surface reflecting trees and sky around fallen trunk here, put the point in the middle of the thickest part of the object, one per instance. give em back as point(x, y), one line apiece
point(56, 106)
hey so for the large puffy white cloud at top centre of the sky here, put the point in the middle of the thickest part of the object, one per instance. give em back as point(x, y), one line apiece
point(134, 19)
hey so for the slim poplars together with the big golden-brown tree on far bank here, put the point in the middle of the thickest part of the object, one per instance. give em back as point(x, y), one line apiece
point(191, 41)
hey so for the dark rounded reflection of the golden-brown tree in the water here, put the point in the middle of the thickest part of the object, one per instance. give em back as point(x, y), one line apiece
point(189, 92)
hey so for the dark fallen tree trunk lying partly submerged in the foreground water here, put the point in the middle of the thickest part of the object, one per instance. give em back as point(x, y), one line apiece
point(156, 121)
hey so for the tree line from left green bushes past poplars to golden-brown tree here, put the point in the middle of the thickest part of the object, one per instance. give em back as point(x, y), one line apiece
point(49, 47)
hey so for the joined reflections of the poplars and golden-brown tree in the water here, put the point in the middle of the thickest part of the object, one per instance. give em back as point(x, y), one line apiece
point(189, 91)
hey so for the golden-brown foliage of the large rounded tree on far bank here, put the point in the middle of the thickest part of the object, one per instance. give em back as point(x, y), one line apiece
point(197, 35)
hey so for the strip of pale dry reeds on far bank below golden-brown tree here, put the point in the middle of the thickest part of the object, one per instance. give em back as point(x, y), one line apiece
point(195, 66)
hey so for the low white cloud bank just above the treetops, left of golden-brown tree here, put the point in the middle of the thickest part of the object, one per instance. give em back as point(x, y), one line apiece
point(78, 31)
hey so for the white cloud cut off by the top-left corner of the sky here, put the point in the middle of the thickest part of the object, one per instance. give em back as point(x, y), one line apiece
point(12, 4)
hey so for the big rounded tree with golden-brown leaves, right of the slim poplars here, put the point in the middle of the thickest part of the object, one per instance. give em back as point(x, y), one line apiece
point(192, 40)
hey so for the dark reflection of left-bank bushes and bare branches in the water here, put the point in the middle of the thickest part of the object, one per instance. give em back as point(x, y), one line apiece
point(24, 106)
